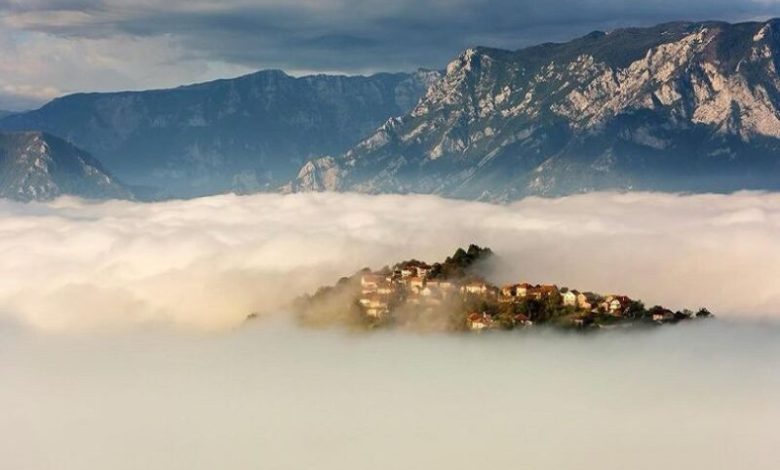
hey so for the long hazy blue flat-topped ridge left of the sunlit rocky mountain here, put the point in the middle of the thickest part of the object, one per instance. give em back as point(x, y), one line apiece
point(248, 134)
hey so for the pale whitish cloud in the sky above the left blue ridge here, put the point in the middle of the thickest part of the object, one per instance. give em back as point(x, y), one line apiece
point(39, 66)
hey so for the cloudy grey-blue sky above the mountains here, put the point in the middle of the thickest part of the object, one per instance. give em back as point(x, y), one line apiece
point(55, 47)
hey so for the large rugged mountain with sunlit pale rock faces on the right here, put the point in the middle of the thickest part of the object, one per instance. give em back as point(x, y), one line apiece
point(679, 106)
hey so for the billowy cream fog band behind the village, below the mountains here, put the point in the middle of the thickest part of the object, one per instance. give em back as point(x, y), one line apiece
point(207, 263)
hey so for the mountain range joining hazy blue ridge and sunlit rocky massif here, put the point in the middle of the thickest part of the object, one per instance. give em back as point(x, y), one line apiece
point(675, 107)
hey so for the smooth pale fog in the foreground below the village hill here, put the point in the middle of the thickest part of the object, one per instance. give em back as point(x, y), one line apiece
point(702, 396)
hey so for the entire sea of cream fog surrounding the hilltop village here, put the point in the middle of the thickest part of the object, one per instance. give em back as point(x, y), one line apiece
point(122, 342)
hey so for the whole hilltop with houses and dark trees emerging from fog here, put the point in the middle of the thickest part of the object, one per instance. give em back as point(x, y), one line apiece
point(453, 296)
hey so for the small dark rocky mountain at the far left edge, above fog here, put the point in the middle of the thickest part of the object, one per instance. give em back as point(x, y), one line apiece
point(39, 167)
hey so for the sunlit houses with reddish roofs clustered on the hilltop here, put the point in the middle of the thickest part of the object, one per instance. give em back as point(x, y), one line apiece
point(411, 284)
